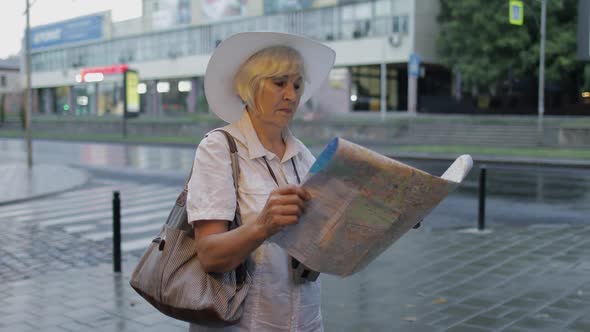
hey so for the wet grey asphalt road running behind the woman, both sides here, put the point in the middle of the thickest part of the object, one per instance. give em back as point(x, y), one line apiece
point(514, 195)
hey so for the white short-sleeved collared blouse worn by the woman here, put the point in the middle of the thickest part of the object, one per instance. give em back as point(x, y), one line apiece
point(274, 302)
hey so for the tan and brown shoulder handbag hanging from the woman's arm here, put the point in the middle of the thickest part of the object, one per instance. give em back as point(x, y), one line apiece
point(170, 277)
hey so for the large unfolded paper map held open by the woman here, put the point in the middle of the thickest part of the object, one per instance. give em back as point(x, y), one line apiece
point(362, 203)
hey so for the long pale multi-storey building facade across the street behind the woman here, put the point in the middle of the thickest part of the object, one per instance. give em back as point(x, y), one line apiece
point(170, 44)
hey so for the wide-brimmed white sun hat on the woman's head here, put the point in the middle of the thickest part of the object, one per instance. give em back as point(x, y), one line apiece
point(227, 58)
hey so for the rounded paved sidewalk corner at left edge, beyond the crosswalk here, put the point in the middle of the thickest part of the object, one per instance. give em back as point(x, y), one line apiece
point(19, 183)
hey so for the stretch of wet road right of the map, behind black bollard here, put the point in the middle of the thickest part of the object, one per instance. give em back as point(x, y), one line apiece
point(515, 195)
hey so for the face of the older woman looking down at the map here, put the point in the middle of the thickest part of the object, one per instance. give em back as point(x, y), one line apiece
point(277, 99)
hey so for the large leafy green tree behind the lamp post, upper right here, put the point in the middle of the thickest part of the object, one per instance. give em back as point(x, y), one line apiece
point(477, 40)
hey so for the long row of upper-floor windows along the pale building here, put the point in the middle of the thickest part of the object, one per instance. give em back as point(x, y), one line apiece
point(355, 20)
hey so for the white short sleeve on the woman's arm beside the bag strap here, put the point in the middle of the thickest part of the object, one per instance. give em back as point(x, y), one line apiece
point(211, 191)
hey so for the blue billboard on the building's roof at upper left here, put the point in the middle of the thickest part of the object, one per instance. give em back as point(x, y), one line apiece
point(76, 30)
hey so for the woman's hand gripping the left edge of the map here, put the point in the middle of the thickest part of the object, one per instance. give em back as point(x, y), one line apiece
point(283, 207)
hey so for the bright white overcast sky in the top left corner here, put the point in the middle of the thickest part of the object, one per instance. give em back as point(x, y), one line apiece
point(13, 20)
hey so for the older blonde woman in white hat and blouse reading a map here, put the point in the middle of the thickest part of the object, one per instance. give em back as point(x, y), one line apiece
point(255, 81)
